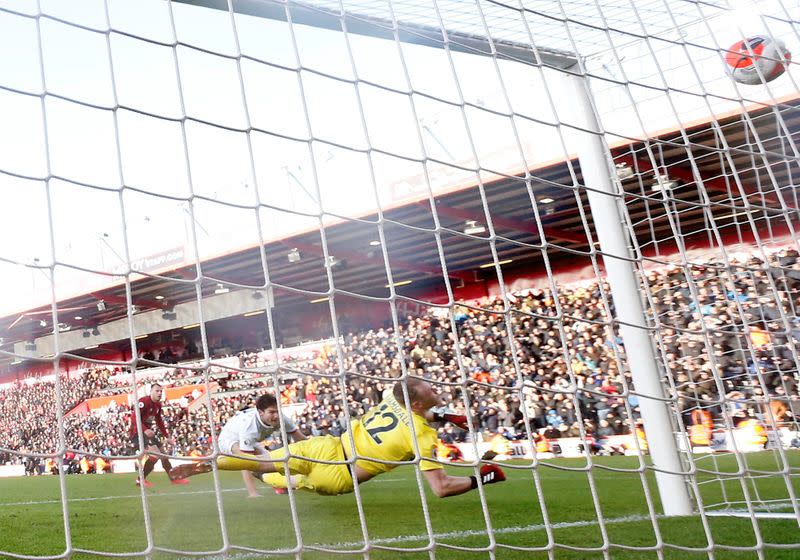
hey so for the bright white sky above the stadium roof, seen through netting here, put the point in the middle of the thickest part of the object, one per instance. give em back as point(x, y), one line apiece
point(86, 142)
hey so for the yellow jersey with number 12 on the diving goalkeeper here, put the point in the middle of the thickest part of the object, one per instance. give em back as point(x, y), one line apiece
point(384, 433)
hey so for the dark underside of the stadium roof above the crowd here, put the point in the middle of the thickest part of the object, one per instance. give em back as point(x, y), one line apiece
point(410, 228)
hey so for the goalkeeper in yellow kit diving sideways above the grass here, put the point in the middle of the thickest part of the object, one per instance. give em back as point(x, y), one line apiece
point(383, 434)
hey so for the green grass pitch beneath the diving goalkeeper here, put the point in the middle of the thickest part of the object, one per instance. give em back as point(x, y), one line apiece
point(106, 514)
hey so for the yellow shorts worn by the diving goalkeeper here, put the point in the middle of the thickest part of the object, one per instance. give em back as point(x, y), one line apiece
point(322, 478)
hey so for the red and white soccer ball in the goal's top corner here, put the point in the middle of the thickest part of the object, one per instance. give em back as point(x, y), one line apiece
point(768, 55)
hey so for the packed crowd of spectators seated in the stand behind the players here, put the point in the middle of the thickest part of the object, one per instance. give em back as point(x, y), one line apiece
point(562, 373)
